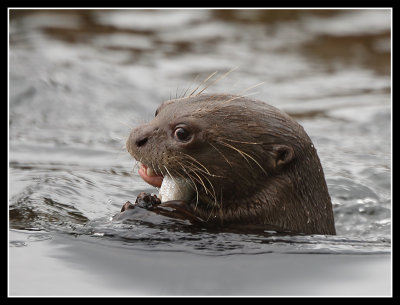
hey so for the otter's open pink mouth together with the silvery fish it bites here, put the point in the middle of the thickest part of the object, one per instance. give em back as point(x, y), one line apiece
point(169, 188)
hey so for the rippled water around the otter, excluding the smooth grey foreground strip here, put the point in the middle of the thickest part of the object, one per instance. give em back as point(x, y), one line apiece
point(81, 79)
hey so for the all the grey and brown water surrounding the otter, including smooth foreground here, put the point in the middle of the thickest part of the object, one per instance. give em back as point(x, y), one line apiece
point(80, 80)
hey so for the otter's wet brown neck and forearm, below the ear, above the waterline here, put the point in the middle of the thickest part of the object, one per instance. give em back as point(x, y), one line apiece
point(289, 201)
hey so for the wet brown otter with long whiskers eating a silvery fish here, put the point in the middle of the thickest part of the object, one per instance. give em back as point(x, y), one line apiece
point(235, 161)
